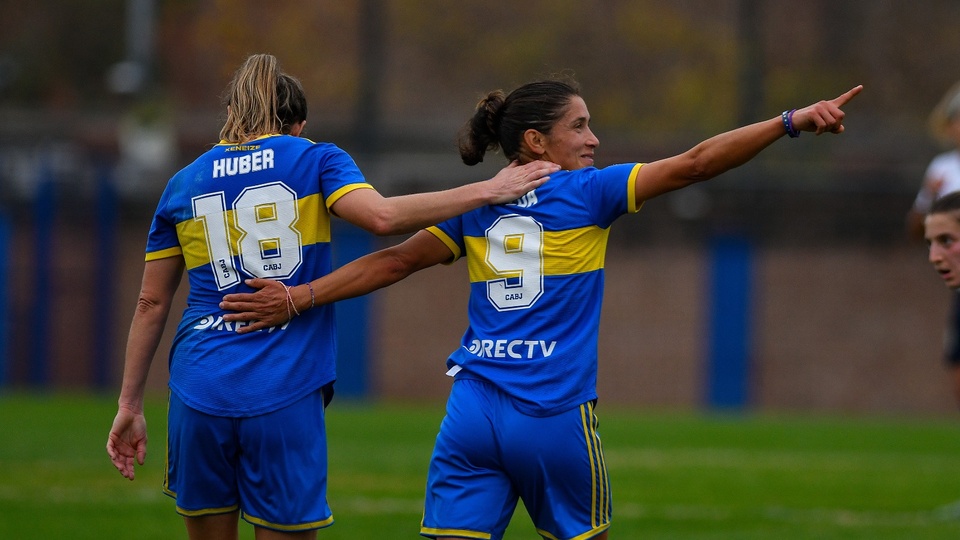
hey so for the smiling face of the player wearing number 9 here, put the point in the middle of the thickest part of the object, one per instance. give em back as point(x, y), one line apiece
point(570, 142)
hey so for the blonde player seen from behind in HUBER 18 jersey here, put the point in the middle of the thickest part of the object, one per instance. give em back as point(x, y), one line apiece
point(246, 431)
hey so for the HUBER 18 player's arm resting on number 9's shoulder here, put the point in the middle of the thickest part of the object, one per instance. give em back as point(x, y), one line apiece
point(383, 216)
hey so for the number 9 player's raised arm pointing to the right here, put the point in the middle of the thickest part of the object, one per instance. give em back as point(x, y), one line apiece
point(734, 148)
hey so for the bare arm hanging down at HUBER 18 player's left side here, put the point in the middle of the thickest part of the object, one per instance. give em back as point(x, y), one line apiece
point(127, 440)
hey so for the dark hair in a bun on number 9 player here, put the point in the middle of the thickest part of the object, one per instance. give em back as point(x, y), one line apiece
point(500, 120)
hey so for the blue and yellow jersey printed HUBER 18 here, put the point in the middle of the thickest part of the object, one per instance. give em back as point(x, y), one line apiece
point(257, 209)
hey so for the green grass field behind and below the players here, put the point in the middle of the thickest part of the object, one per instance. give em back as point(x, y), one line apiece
point(674, 475)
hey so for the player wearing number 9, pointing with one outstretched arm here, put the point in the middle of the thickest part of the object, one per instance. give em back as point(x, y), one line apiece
point(520, 420)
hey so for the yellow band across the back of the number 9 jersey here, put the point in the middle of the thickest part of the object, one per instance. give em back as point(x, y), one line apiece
point(574, 251)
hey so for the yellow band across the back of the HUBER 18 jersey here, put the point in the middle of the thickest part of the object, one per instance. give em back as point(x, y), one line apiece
point(313, 224)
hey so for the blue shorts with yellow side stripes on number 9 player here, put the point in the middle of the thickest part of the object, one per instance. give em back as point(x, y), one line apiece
point(488, 455)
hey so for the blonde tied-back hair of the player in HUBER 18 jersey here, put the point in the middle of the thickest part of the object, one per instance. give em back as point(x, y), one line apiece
point(261, 100)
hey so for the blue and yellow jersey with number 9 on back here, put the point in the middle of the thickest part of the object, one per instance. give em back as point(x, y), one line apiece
point(536, 286)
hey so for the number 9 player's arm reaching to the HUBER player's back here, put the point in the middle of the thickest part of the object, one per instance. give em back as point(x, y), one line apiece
point(269, 305)
